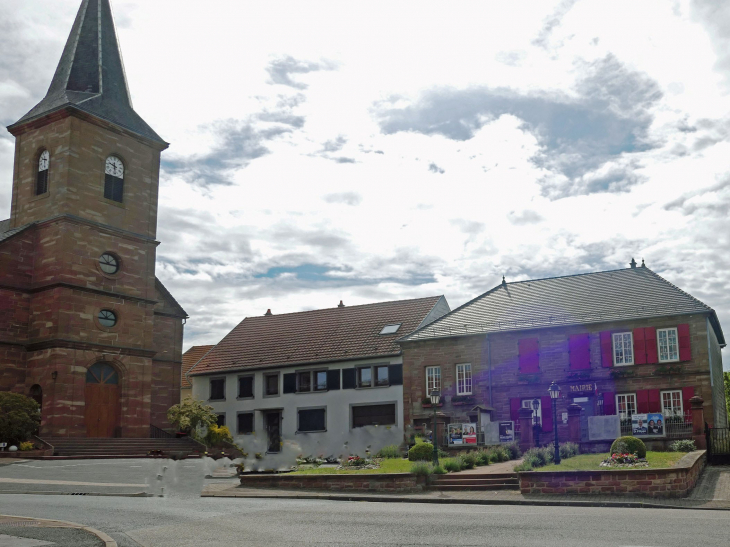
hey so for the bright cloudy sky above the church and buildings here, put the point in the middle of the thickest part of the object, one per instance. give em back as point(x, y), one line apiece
point(372, 151)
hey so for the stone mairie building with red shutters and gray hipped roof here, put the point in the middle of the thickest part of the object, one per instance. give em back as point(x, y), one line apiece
point(623, 342)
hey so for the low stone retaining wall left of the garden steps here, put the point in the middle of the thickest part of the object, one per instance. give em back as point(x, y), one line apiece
point(380, 482)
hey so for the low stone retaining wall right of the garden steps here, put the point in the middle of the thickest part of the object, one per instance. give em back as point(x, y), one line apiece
point(673, 482)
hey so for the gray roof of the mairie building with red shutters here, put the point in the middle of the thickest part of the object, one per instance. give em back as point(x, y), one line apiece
point(630, 293)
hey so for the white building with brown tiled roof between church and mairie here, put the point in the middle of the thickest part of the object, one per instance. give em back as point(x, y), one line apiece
point(317, 383)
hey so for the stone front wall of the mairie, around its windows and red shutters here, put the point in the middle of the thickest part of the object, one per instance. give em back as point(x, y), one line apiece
point(554, 364)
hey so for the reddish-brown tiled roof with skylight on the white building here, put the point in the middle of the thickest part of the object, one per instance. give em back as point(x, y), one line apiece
point(315, 336)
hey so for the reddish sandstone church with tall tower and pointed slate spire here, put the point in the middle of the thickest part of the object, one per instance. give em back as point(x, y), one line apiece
point(92, 332)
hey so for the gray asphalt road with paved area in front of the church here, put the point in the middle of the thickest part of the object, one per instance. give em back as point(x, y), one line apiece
point(182, 518)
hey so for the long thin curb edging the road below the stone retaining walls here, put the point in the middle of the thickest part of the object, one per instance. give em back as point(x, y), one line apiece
point(449, 501)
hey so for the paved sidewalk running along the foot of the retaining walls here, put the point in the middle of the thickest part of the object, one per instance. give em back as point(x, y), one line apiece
point(712, 492)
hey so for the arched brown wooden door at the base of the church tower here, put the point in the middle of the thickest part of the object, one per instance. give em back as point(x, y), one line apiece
point(102, 400)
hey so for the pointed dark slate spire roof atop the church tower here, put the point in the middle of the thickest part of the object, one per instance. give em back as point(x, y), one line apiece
point(90, 75)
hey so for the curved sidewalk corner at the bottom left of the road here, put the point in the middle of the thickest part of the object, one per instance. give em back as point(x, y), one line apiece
point(28, 532)
